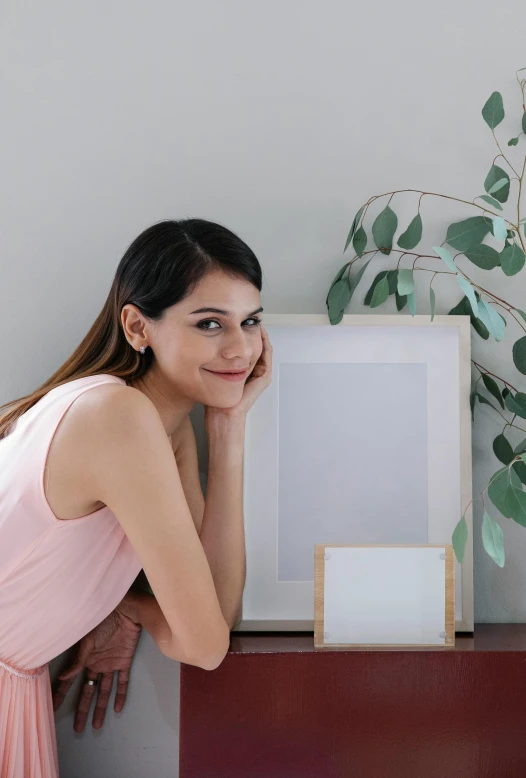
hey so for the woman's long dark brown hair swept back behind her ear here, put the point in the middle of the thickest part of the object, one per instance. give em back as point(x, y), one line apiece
point(161, 267)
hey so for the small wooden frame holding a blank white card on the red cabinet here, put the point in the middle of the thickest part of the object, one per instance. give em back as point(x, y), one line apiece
point(384, 596)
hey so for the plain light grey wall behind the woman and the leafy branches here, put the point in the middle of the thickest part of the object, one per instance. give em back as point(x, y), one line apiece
point(277, 119)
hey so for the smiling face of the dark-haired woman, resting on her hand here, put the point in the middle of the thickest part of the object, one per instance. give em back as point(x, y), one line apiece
point(190, 346)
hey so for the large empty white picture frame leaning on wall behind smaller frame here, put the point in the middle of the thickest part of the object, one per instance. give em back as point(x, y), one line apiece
point(363, 436)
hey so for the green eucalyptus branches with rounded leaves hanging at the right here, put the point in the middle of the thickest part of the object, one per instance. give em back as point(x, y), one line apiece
point(497, 214)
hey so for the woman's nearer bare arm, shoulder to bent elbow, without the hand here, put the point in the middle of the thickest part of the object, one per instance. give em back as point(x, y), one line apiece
point(132, 469)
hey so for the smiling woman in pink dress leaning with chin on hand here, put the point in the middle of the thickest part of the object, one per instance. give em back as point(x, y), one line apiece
point(98, 480)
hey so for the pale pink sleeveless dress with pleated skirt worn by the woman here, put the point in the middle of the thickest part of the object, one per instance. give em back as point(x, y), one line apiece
point(58, 580)
